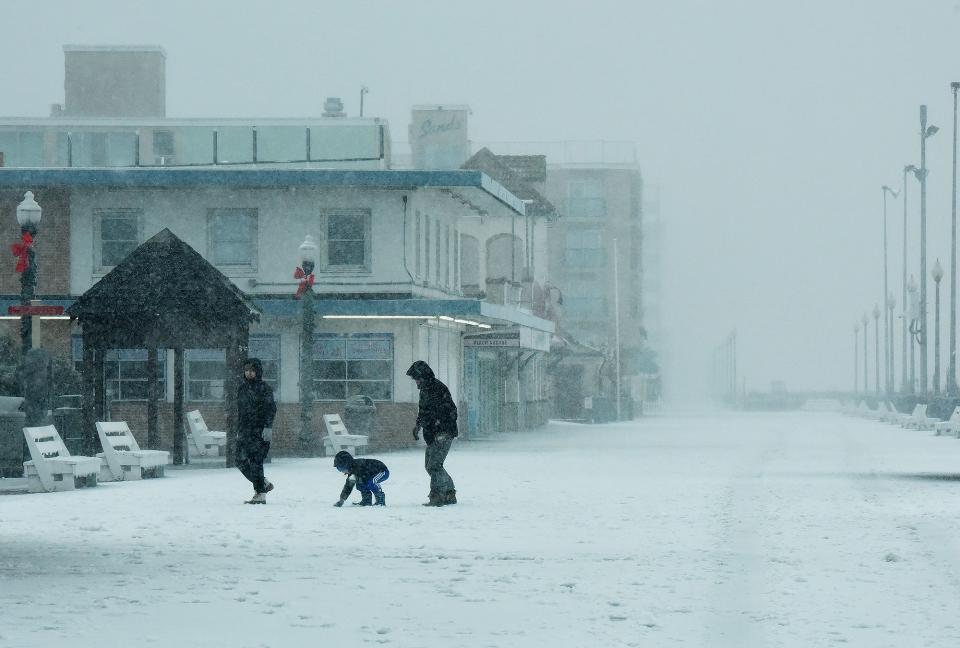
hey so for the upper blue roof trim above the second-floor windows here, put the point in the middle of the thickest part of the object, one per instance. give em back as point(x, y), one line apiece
point(33, 178)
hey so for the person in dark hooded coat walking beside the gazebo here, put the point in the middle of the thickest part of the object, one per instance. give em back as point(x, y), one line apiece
point(255, 411)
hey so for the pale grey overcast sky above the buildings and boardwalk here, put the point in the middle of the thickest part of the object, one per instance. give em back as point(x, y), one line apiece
point(768, 126)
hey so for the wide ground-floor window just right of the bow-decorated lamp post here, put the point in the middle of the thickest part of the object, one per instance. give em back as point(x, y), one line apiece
point(345, 366)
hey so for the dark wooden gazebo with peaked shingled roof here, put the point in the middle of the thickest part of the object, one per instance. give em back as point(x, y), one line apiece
point(163, 295)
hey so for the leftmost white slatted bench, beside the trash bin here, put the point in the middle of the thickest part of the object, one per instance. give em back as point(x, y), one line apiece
point(51, 466)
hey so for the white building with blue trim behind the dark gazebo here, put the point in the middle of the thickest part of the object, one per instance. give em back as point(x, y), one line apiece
point(404, 269)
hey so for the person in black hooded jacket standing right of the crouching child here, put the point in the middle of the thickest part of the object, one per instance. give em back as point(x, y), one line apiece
point(437, 418)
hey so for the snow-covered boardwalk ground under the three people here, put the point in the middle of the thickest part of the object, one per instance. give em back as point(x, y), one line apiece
point(798, 529)
